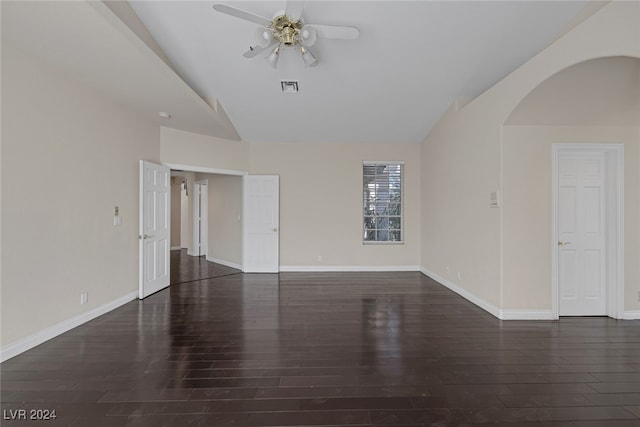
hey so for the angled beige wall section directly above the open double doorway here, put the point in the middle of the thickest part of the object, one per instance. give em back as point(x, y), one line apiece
point(201, 151)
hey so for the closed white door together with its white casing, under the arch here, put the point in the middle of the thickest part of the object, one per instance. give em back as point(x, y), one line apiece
point(587, 224)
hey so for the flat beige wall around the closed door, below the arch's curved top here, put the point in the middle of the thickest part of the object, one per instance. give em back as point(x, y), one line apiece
point(527, 209)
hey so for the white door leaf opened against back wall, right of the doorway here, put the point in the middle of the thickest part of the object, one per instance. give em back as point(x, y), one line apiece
point(261, 224)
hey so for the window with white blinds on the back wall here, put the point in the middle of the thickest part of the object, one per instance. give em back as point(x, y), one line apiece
point(382, 202)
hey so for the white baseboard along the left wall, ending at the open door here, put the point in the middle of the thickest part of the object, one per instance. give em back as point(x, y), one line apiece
point(26, 343)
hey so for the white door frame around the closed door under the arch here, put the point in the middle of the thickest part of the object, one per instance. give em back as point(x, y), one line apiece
point(614, 190)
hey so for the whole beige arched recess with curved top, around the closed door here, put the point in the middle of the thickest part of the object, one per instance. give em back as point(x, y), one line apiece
point(592, 102)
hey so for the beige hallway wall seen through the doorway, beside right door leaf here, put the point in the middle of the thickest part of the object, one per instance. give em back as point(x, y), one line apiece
point(225, 219)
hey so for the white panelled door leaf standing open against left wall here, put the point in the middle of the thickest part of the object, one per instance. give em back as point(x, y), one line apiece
point(155, 193)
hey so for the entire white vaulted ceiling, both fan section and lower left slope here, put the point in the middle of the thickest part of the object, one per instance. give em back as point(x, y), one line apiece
point(412, 61)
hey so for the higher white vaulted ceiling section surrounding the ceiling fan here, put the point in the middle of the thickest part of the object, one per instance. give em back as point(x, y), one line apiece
point(412, 60)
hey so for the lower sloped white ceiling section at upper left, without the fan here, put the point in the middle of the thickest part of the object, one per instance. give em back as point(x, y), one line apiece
point(88, 43)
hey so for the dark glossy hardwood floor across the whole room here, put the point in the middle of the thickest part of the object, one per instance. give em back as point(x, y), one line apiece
point(358, 349)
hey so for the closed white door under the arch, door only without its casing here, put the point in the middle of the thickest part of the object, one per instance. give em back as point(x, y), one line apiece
point(581, 234)
